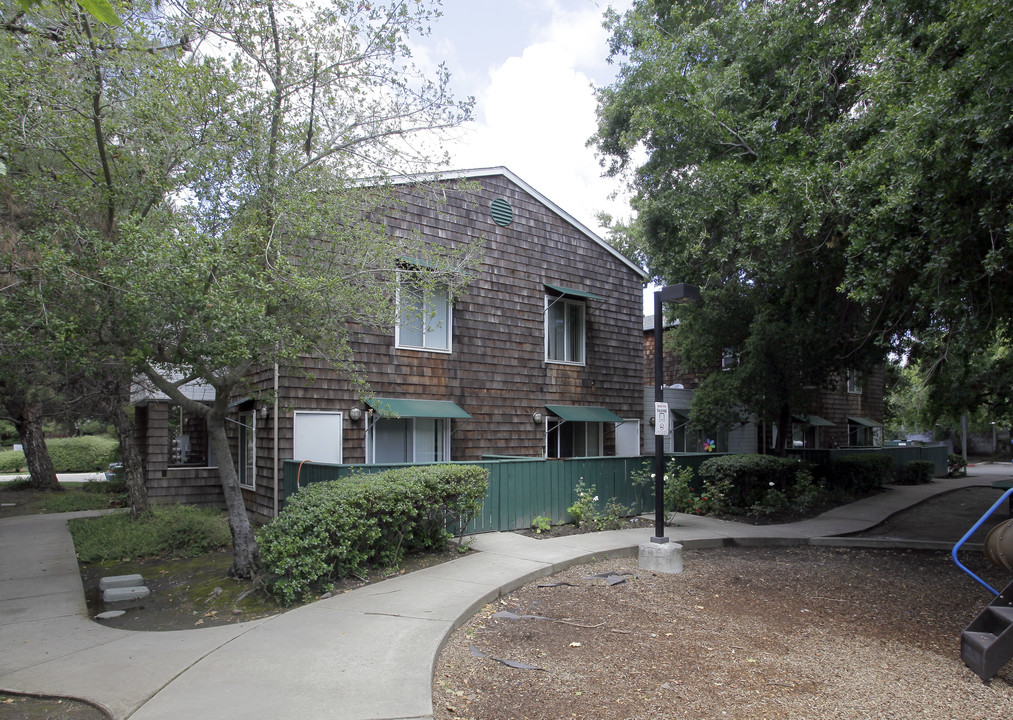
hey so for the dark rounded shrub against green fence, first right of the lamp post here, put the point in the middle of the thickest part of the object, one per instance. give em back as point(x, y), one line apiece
point(747, 479)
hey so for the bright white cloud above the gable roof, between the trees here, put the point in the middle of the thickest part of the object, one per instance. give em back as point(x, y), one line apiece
point(536, 111)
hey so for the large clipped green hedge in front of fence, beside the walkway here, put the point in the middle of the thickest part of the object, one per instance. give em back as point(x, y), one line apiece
point(336, 529)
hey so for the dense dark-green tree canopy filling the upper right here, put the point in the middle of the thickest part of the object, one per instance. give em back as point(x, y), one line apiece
point(818, 170)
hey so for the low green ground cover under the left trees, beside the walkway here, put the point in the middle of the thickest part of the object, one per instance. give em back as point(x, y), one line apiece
point(170, 532)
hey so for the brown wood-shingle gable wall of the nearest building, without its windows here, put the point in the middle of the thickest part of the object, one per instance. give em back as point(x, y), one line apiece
point(497, 372)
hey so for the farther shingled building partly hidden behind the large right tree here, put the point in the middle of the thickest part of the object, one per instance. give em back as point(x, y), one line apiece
point(850, 416)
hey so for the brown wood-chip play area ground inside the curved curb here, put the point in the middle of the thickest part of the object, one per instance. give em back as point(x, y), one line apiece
point(798, 632)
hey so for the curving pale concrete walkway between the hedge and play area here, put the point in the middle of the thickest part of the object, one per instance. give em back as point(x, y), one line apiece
point(367, 655)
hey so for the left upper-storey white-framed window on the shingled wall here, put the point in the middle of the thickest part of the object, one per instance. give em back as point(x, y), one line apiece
point(424, 316)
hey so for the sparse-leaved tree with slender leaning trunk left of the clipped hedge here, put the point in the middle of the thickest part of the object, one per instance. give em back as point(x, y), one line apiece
point(211, 167)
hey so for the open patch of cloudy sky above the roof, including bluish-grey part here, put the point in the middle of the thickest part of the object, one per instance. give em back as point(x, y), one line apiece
point(531, 66)
